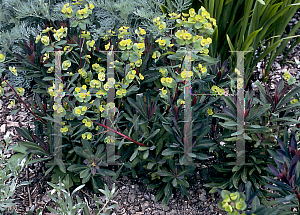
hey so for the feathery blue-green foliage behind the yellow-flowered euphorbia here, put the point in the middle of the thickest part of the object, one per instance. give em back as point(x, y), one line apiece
point(20, 19)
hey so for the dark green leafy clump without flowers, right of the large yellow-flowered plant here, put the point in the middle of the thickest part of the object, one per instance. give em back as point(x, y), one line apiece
point(265, 118)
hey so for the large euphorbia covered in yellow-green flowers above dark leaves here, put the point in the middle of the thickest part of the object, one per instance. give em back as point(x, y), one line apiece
point(79, 101)
